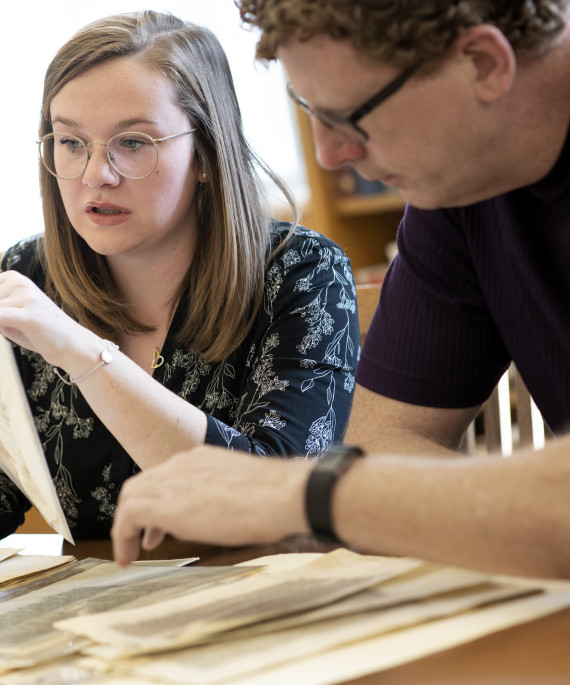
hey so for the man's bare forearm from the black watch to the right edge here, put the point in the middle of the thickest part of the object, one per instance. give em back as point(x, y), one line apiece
point(497, 514)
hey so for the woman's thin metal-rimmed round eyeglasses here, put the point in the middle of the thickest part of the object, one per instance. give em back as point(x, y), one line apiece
point(132, 155)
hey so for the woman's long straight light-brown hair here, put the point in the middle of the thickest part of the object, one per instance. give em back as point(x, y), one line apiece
point(223, 287)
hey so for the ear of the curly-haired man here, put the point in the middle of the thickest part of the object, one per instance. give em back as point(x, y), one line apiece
point(493, 58)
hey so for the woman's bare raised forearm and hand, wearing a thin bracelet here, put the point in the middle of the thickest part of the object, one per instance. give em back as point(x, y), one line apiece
point(126, 399)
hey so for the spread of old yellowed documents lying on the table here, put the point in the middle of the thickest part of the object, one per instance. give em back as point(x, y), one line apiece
point(317, 618)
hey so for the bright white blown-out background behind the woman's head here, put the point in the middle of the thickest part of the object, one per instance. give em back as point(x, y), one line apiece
point(31, 32)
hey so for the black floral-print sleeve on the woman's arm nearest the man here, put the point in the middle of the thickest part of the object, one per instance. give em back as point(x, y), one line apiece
point(302, 360)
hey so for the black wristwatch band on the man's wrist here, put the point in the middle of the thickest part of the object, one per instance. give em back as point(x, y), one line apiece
point(320, 485)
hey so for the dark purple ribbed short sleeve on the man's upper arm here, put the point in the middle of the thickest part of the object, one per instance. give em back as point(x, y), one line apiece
point(432, 341)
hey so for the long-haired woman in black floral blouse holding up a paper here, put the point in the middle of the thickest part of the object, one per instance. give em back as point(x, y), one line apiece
point(176, 312)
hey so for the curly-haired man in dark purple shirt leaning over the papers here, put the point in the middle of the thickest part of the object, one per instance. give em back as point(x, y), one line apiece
point(466, 112)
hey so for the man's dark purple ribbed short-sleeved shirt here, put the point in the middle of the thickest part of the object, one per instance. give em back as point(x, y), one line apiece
point(472, 289)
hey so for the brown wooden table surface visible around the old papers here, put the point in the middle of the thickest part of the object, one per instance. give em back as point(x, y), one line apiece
point(536, 653)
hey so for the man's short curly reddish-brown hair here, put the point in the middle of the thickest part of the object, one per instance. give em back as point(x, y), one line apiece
point(405, 32)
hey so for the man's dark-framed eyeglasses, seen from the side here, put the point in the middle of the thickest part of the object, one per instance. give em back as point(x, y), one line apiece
point(348, 125)
